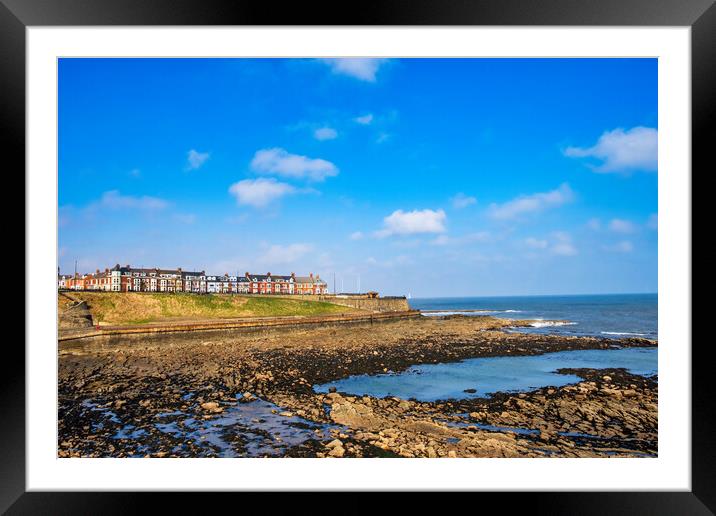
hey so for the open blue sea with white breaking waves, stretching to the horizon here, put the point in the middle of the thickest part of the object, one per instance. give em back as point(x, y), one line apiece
point(608, 315)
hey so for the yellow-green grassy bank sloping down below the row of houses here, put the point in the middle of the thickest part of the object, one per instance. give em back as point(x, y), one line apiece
point(139, 308)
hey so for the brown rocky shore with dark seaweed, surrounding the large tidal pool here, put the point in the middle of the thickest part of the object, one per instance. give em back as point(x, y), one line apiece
point(218, 393)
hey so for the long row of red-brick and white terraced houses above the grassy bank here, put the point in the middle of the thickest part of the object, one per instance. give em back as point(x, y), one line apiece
point(129, 279)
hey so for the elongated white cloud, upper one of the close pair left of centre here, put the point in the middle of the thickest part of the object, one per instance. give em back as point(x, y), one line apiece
point(278, 161)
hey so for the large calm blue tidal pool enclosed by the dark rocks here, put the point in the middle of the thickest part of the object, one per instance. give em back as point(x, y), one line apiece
point(430, 382)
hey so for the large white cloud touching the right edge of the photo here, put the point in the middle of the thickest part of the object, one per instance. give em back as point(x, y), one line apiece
point(622, 151)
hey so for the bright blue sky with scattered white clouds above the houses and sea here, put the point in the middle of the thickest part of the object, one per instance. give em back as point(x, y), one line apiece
point(434, 177)
